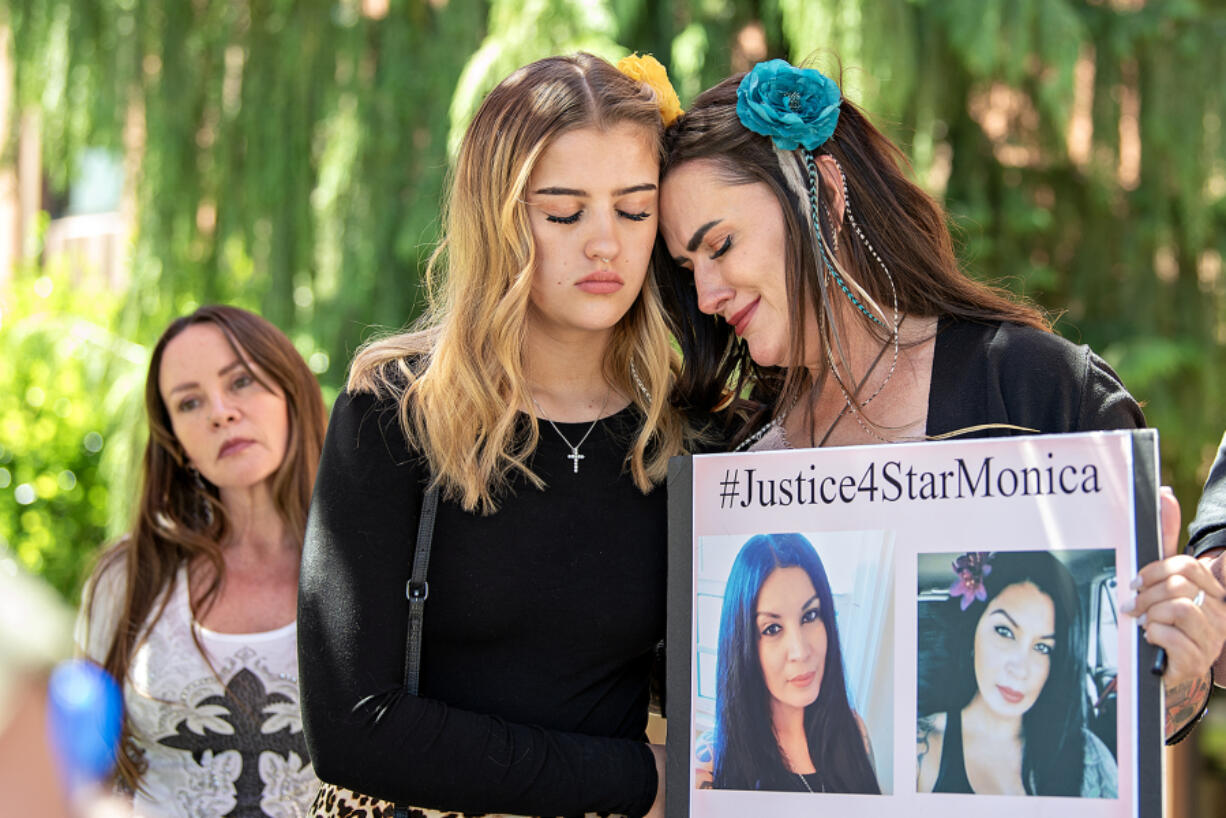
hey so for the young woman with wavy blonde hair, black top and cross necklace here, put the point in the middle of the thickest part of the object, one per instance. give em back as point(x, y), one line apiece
point(535, 398)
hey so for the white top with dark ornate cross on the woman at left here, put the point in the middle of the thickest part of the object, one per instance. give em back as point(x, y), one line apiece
point(213, 750)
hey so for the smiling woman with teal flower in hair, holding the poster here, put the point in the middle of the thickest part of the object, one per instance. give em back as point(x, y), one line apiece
point(843, 316)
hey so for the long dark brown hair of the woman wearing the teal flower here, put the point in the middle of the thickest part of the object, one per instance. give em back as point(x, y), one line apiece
point(904, 224)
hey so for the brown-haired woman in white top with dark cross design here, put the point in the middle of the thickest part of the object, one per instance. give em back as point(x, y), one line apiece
point(194, 610)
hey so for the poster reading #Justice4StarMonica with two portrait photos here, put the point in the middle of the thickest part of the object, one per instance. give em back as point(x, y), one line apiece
point(902, 630)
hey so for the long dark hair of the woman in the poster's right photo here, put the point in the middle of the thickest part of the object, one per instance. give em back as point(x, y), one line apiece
point(1054, 739)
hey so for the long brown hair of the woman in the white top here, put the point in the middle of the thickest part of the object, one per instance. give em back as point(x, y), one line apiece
point(180, 518)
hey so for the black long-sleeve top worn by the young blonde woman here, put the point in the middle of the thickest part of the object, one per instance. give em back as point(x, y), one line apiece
point(539, 633)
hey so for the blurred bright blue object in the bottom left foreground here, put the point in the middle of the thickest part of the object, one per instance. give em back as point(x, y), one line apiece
point(84, 718)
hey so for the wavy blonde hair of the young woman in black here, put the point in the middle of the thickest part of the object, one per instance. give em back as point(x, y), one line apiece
point(459, 376)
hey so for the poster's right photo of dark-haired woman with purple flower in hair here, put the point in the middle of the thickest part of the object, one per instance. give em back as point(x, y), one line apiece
point(1017, 674)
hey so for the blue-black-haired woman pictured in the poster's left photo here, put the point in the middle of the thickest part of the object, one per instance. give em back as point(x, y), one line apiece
point(783, 717)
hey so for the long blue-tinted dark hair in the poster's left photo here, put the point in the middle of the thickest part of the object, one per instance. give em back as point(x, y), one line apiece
point(747, 754)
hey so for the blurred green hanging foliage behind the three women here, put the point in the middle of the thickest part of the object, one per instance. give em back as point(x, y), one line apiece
point(292, 153)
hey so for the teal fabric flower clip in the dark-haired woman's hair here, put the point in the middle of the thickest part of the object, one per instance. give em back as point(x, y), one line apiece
point(795, 107)
